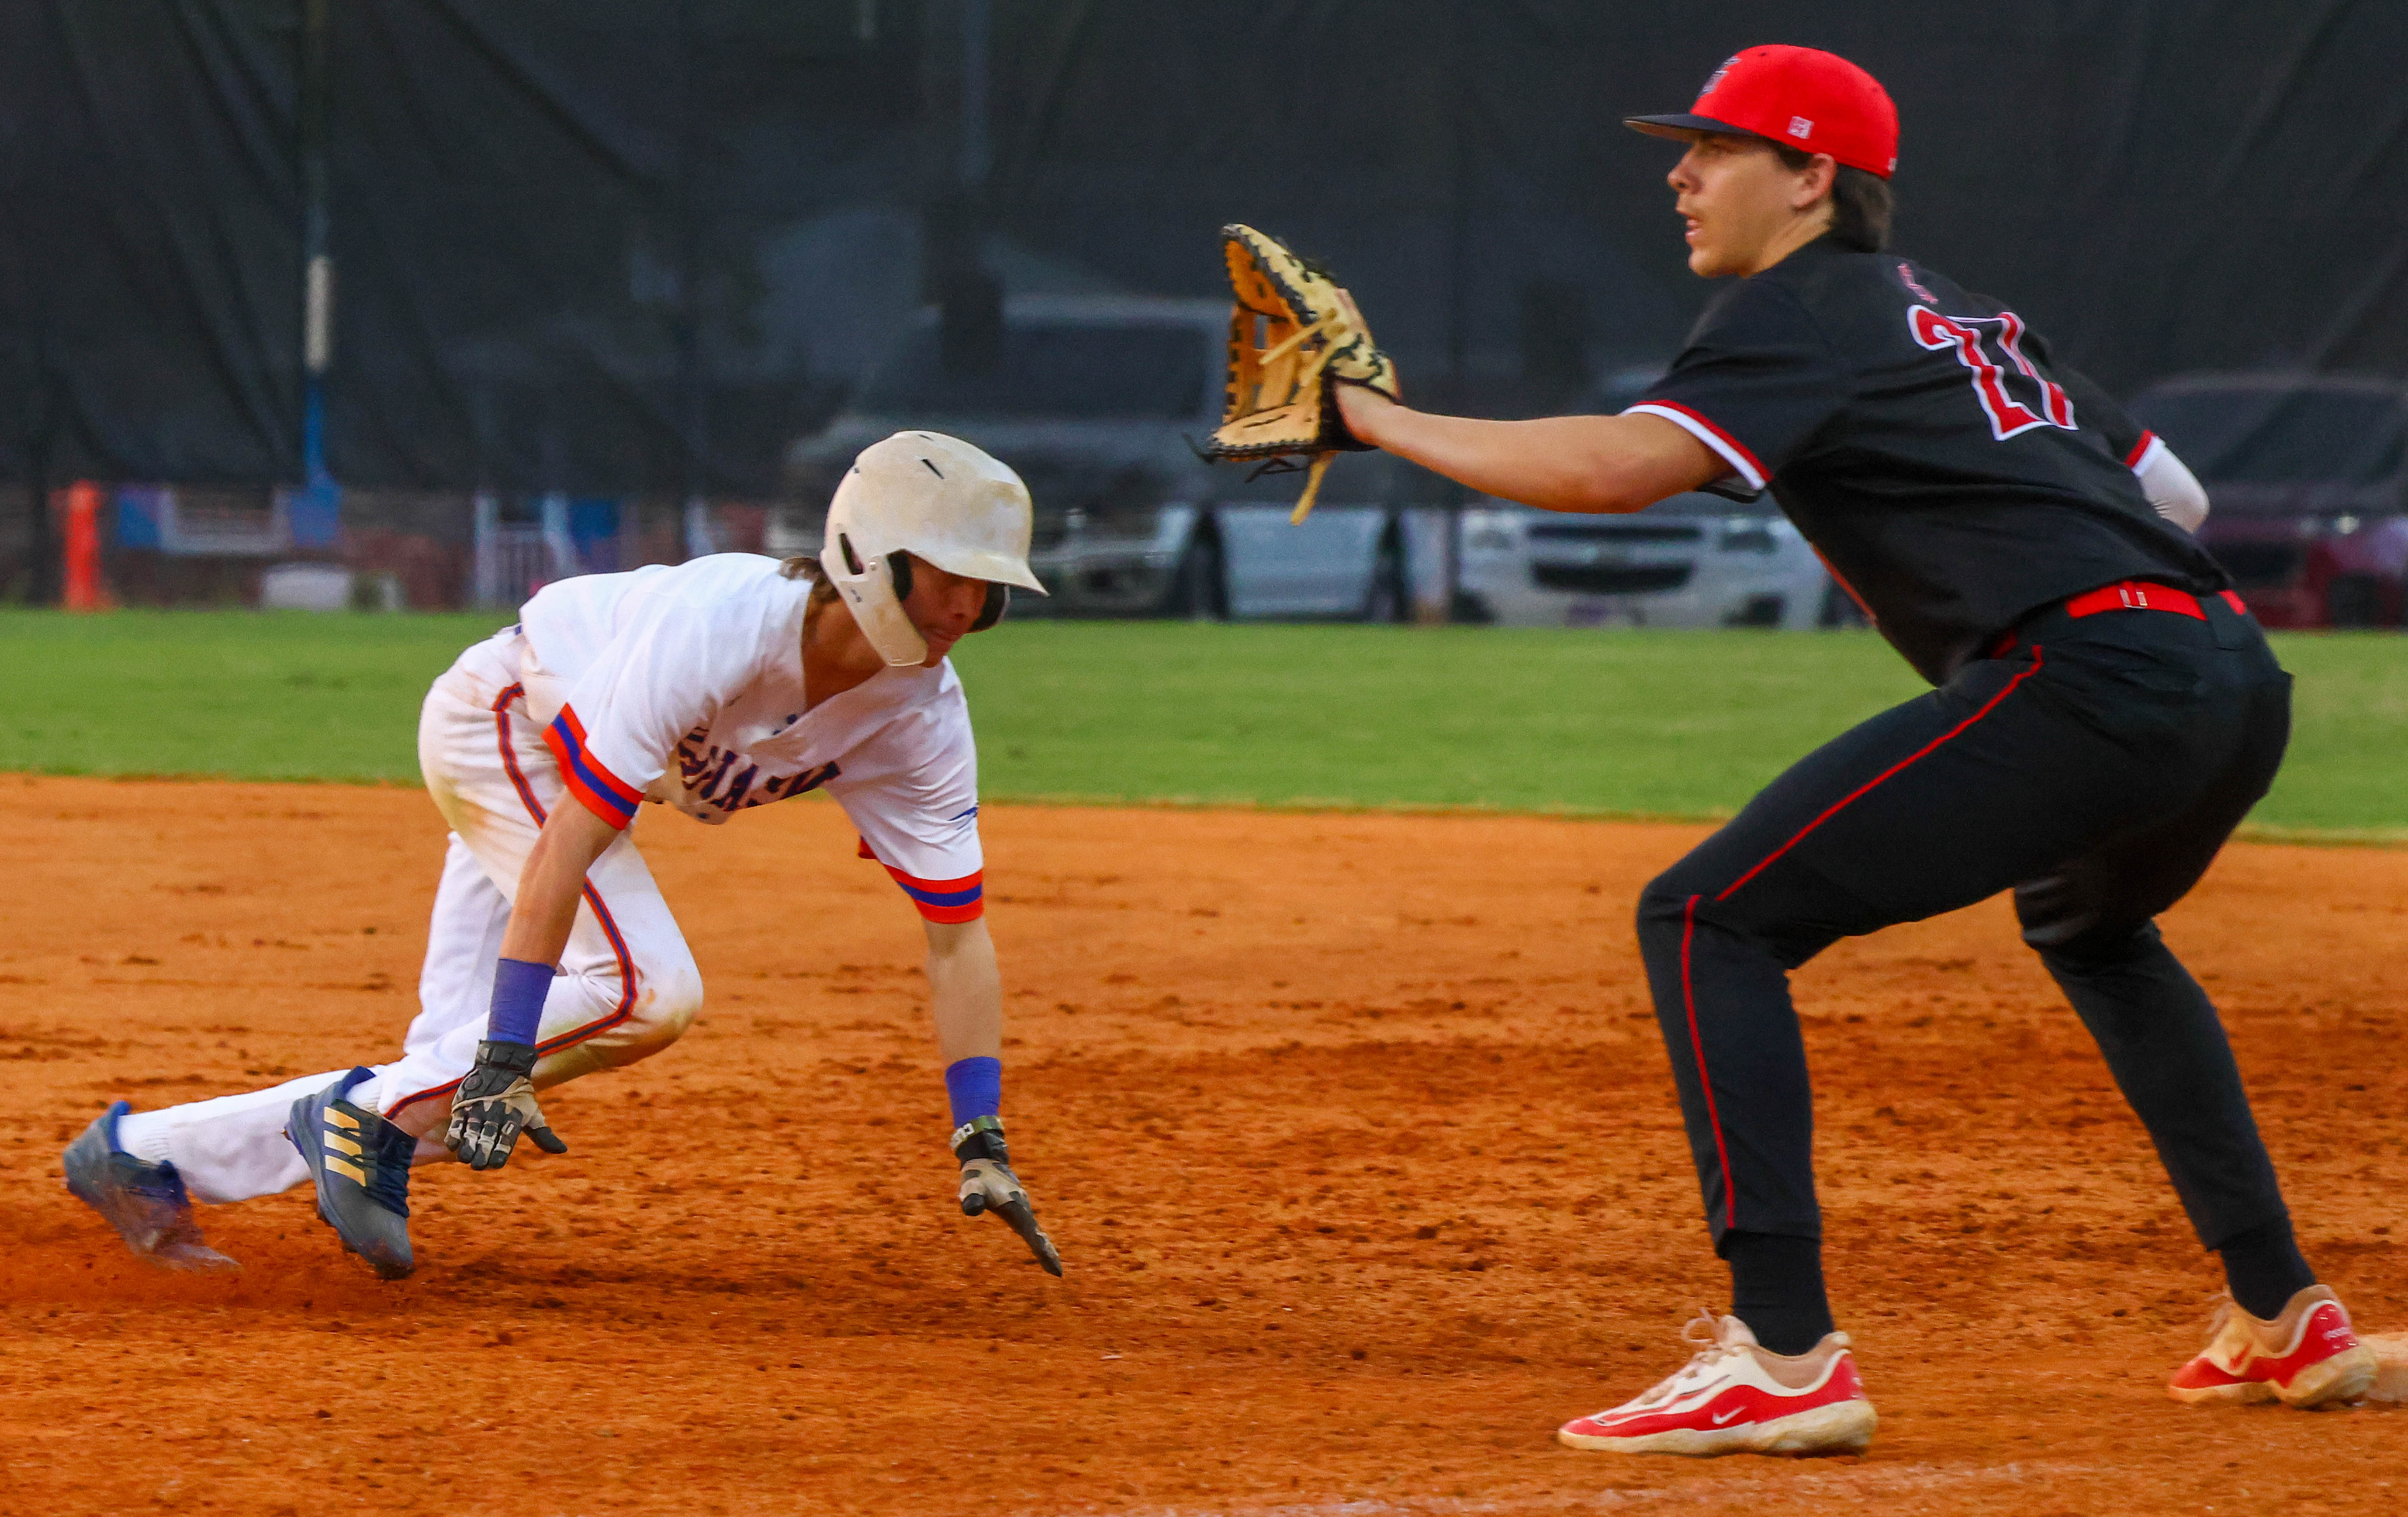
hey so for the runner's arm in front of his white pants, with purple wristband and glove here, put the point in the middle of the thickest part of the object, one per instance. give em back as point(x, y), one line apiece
point(497, 1097)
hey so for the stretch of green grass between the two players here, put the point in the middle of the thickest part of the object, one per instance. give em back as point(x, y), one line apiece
point(1528, 721)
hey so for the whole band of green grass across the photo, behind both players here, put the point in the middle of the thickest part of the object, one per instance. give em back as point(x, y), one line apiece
point(1287, 716)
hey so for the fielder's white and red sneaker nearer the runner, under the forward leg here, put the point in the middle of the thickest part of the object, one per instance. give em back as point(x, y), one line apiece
point(1737, 1398)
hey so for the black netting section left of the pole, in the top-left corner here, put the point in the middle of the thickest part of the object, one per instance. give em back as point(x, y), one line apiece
point(150, 256)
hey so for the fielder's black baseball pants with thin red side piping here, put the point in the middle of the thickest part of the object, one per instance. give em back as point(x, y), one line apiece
point(2094, 767)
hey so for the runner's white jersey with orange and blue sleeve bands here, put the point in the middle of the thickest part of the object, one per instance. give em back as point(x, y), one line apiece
point(683, 685)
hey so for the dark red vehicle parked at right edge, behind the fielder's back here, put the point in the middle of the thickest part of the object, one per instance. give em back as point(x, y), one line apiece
point(2308, 490)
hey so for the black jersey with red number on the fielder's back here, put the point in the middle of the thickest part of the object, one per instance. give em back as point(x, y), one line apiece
point(1925, 447)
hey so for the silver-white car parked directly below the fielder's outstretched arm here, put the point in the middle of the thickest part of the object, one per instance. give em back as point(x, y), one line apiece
point(1687, 562)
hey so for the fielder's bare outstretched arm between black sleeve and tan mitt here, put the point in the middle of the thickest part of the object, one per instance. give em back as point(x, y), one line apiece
point(1557, 464)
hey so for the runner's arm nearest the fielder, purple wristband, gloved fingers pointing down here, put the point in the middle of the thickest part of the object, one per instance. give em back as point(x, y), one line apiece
point(967, 998)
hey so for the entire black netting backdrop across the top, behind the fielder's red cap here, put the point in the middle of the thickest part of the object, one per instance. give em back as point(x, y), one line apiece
point(642, 244)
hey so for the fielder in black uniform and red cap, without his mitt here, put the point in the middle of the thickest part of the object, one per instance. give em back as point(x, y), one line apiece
point(2103, 716)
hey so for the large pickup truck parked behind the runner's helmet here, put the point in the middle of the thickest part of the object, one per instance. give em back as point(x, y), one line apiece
point(1097, 403)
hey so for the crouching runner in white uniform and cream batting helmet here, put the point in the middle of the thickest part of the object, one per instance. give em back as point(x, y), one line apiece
point(712, 687)
